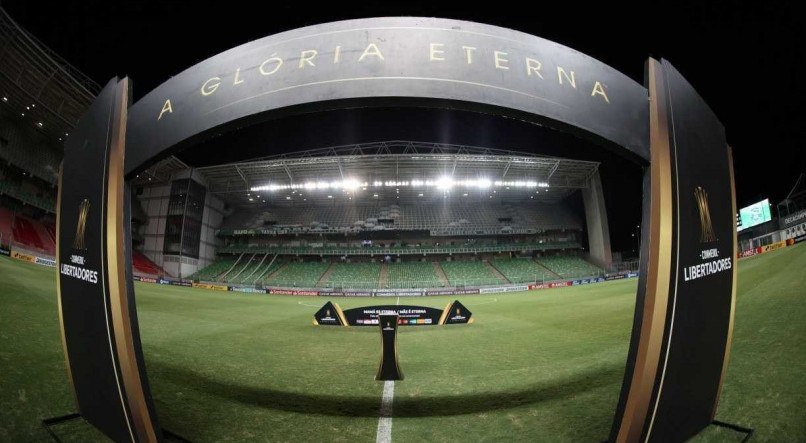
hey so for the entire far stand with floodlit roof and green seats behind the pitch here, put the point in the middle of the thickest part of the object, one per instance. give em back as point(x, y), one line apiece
point(366, 216)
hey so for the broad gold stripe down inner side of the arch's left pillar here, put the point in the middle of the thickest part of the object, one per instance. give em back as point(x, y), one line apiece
point(116, 267)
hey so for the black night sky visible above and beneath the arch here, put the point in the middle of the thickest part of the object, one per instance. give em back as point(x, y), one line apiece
point(741, 58)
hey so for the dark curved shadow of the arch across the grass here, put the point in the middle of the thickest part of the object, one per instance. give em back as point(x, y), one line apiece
point(367, 406)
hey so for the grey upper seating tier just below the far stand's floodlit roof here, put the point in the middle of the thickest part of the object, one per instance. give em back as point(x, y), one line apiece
point(480, 218)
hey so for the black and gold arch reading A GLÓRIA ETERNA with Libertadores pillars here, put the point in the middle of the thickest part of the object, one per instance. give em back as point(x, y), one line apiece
point(684, 304)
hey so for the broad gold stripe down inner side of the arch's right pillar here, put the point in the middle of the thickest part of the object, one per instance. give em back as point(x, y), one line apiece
point(656, 295)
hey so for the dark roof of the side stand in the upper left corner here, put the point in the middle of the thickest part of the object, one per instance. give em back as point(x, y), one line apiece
point(38, 85)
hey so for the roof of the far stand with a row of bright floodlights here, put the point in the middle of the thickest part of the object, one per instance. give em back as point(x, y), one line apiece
point(403, 171)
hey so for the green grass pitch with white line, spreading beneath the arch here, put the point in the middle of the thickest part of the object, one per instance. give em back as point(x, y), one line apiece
point(538, 366)
